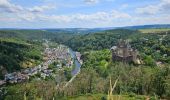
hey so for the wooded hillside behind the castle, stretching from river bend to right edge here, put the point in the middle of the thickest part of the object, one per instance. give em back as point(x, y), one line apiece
point(153, 46)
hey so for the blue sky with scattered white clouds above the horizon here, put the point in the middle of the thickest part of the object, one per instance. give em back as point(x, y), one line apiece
point(82, 13)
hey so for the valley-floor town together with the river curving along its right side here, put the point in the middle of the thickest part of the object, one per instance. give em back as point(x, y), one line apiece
point(57, 59)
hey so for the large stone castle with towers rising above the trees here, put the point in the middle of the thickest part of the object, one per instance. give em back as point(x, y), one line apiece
point(123, 52)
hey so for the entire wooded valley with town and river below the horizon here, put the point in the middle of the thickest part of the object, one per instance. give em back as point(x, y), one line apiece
point(68, 66)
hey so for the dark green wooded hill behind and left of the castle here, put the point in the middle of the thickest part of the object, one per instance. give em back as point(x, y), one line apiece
point(100, 40)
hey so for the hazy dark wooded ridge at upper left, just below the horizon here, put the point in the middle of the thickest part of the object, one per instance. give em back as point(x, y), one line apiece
point(58, 36)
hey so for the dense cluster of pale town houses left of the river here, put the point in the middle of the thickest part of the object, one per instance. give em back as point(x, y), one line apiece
point(61, 54)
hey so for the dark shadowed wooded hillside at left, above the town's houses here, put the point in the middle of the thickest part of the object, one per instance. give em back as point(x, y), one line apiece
point(16, 54)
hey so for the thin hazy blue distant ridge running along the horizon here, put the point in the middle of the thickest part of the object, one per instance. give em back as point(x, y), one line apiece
point(89, 30)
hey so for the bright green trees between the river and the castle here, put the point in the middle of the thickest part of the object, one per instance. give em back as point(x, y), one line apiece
point(98, 60)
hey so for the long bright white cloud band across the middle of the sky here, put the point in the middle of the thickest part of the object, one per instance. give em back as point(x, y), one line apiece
point(94, 17)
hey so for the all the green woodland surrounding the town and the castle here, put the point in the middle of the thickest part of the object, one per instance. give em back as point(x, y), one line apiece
point(97, 67)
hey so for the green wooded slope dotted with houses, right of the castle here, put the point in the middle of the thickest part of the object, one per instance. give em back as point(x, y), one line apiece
point(153, 47)
